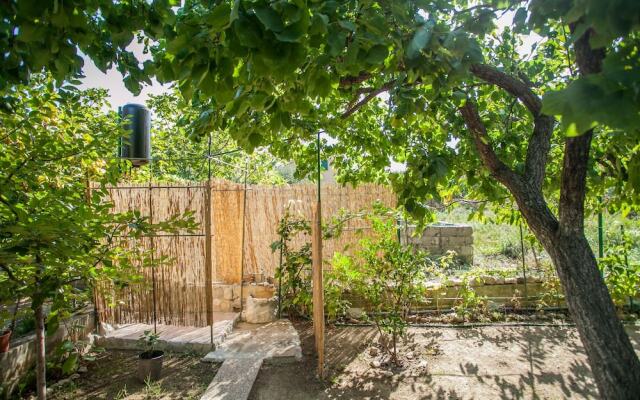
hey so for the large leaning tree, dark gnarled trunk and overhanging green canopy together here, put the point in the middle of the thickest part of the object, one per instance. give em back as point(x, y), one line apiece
point(463, 108)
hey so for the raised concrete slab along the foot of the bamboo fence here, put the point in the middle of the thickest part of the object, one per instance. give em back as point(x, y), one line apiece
point(173, 338)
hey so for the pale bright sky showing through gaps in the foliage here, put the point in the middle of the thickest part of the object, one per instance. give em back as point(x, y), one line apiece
point(119, 95)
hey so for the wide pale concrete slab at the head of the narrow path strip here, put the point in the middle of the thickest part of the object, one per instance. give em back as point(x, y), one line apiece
point(275, 342)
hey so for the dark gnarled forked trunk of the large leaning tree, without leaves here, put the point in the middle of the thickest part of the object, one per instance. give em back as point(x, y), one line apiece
point(614, 363)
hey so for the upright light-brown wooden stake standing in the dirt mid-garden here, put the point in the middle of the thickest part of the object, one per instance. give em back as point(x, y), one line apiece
point(318, 295)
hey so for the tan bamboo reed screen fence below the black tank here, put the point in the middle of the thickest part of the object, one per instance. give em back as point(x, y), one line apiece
point(183, 287)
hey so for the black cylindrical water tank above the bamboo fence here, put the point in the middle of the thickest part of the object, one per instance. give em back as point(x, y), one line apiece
point(137, 147)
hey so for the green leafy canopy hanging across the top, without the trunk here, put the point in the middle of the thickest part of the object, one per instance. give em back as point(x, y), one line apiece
point(275, 72)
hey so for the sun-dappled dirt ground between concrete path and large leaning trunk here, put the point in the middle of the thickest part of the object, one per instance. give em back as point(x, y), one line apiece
point(443, 363)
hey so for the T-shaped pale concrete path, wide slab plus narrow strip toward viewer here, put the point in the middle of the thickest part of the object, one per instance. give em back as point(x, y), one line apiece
point(244, 352)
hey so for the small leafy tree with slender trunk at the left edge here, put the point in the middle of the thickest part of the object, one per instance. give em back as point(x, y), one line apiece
point(55, 230)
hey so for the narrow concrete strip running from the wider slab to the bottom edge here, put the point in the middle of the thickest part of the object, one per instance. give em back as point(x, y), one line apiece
point(234, 379)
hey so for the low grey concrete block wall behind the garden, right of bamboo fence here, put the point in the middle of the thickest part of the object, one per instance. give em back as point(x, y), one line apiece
point(438, 239)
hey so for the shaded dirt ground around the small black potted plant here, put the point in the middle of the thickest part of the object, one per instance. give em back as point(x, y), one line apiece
point(112, 376)
